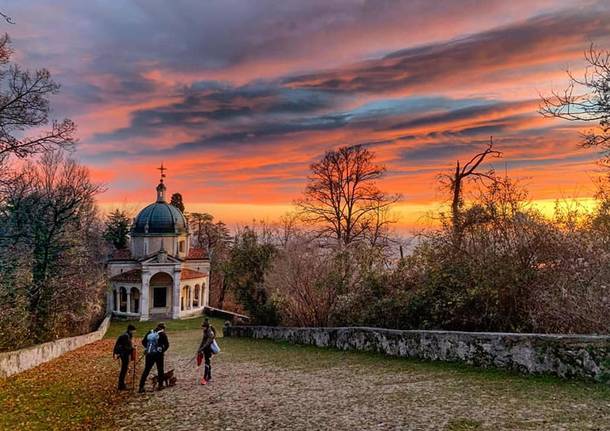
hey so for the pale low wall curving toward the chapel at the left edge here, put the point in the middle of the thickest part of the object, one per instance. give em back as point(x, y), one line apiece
point(30, 357)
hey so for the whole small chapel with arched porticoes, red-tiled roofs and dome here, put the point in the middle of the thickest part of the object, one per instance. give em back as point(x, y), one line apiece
point(160, 275)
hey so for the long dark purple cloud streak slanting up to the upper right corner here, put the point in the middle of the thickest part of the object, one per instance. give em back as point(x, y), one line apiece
point(464, 60)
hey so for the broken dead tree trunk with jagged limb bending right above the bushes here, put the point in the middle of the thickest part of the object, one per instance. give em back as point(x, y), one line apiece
point(455, 184)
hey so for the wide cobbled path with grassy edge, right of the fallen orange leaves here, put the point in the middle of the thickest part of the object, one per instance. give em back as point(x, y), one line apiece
point(266, 386)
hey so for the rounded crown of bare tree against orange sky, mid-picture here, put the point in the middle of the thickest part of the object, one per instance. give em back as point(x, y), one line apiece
point(342, 200)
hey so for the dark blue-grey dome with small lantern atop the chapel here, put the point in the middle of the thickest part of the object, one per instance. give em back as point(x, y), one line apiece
point(160, 217)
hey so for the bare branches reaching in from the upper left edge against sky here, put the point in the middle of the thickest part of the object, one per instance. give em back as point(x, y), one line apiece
point(24, 104)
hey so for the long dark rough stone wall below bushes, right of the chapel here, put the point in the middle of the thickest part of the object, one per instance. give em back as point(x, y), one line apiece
point(579, 356)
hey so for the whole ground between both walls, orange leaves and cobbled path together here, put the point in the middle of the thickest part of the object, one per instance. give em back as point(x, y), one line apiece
point(262, 385)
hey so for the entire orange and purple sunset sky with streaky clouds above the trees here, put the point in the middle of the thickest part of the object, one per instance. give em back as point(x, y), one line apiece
point(237, 98)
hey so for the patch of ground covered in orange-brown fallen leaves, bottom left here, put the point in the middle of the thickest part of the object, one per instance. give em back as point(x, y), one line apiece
point(76, 391)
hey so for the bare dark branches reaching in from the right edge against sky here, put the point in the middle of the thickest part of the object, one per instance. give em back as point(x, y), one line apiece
point(586, 99)
